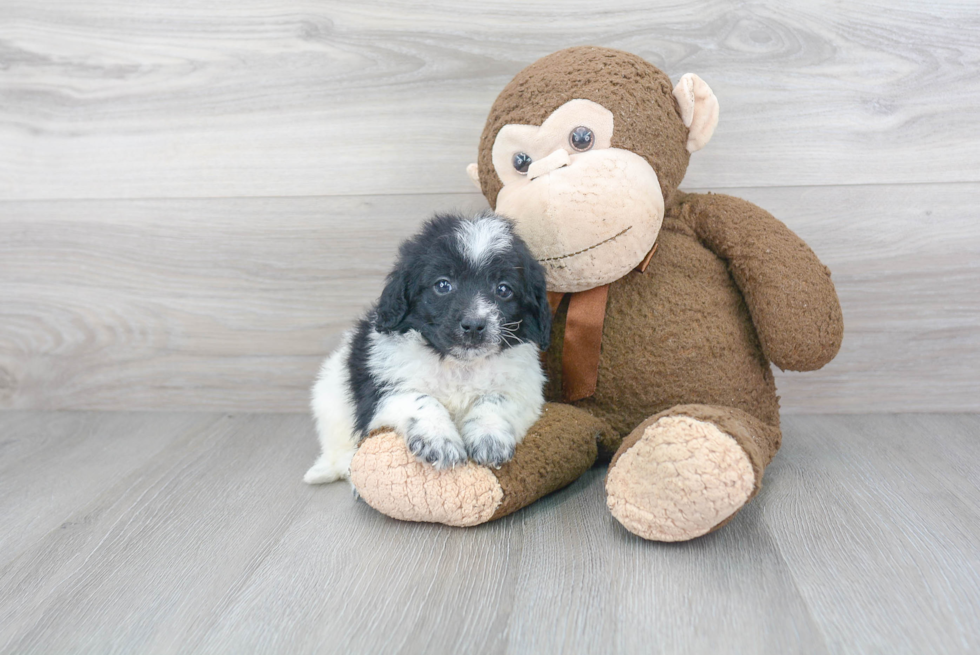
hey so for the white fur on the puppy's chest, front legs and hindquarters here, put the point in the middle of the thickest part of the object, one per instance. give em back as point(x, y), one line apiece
point(473, 405)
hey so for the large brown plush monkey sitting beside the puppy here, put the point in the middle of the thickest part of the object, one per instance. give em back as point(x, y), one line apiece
point(670, 308)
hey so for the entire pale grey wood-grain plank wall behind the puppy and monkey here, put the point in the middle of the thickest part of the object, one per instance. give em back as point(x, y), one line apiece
point(195, 200)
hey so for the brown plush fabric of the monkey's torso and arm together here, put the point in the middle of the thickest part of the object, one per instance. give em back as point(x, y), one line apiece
point(682, 332)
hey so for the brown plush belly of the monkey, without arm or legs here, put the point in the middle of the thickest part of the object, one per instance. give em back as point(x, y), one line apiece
point(679, 333)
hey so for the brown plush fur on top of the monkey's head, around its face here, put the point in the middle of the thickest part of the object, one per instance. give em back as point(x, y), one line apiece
point(639, 94)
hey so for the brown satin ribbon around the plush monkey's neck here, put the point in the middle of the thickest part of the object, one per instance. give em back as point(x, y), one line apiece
point(583, 336)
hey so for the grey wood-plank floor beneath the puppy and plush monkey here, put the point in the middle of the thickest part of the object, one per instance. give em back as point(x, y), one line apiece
point(192, 533)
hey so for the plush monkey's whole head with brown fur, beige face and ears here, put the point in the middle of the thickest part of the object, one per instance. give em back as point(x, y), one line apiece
point(582, 150)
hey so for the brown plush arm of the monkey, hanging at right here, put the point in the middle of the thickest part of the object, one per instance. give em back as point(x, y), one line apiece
point(788, 291)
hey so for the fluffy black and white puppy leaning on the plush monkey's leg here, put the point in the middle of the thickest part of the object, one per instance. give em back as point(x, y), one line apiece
point(449, 357)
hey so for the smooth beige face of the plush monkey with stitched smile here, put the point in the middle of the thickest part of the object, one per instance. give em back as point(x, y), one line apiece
point(588, 211)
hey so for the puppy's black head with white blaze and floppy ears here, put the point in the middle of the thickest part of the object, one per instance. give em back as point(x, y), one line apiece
point(469, 286)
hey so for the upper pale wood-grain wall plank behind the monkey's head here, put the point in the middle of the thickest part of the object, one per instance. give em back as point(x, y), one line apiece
point(173, 99)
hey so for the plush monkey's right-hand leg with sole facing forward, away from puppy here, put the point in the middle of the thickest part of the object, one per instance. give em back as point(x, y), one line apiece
point(688, 470)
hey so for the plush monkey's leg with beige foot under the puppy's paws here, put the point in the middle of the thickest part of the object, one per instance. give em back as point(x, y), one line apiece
point(558, 449)
